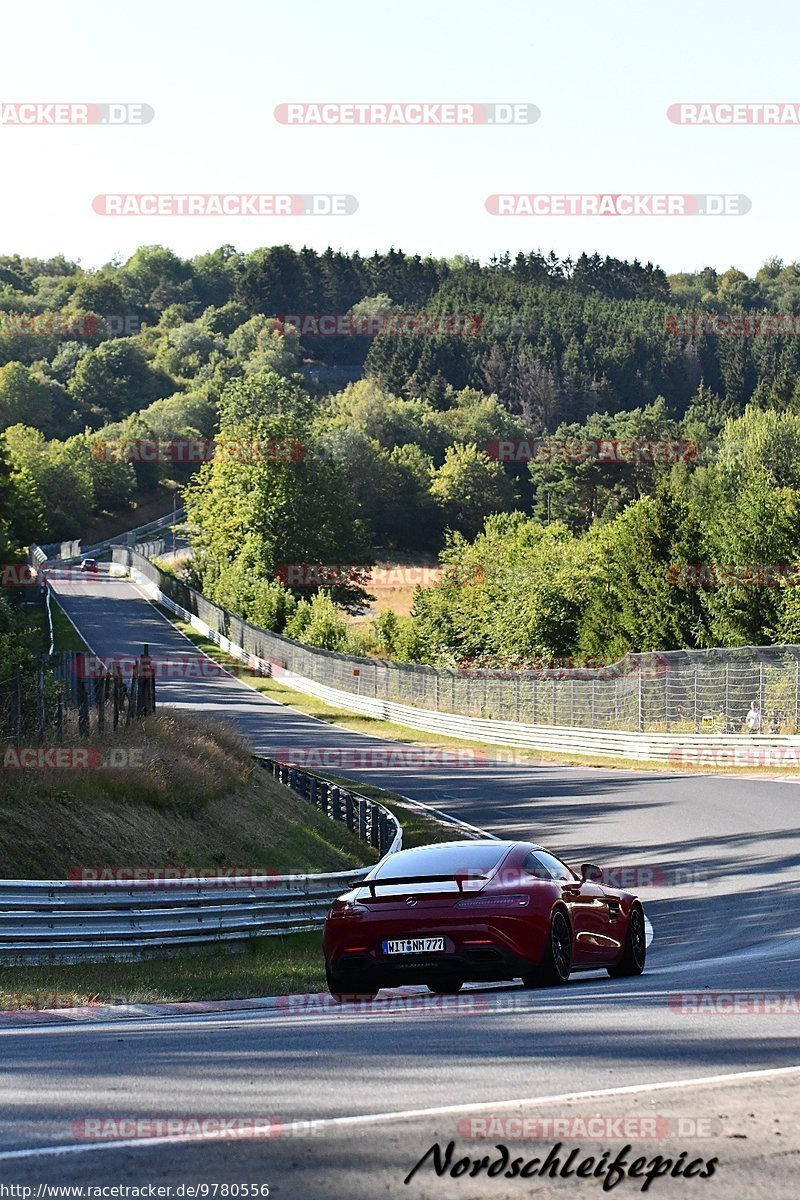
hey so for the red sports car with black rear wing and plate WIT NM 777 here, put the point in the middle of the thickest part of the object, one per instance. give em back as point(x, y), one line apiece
point(483, 911)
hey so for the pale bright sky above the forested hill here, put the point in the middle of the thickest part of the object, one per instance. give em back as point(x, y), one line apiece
point(601, 75)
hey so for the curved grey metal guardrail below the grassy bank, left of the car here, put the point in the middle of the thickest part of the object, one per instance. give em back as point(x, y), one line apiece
point(64, 921)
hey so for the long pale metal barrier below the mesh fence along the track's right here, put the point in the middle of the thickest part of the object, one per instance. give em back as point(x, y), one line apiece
point(576, 740)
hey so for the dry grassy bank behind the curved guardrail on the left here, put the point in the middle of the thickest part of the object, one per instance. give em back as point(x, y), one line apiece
point(187, 794)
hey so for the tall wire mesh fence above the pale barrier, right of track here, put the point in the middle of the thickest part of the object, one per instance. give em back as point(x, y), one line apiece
point(673, 692)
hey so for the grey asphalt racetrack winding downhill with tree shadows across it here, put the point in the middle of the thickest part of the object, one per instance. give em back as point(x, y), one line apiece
point(726, 915)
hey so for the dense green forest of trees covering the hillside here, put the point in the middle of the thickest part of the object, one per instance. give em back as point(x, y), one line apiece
point(582, 553)
